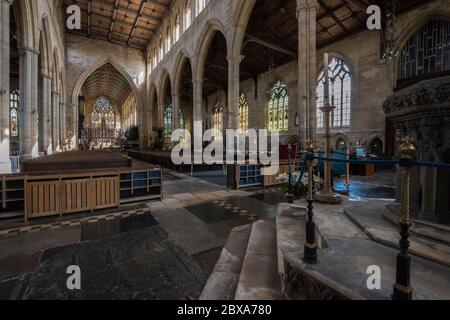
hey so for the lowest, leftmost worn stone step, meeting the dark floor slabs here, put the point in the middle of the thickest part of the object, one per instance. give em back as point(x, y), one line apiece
point(224, 279)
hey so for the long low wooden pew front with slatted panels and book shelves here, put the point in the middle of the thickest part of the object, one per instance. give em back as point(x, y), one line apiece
point(41, 195)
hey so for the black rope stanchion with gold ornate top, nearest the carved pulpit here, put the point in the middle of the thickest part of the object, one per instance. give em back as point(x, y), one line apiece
point(402, 287)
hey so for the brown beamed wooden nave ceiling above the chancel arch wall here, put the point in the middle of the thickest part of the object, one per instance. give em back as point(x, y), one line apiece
point(126, 22)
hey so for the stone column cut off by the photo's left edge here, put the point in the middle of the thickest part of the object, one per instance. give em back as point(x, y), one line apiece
point(5, 162)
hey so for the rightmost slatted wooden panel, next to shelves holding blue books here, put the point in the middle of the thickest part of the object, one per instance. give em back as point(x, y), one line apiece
point(105, 193)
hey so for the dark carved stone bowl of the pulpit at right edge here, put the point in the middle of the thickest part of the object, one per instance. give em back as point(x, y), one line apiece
point(423, 112)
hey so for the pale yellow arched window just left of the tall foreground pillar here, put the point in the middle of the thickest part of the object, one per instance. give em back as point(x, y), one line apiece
point(278, 108)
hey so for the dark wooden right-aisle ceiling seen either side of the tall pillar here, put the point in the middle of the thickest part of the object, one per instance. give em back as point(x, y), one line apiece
point(272, 33)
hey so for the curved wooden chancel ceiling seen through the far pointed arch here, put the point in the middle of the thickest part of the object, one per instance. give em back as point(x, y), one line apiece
point(106, 81)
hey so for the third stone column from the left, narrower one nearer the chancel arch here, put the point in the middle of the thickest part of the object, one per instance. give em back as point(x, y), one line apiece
point(46, 113)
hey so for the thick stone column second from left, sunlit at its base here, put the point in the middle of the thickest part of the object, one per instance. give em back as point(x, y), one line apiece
point(28, 115)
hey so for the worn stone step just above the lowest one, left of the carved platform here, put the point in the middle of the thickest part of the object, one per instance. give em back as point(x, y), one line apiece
point(259, 279)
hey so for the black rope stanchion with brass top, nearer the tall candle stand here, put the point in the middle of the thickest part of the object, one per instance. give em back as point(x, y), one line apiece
point(310, 252)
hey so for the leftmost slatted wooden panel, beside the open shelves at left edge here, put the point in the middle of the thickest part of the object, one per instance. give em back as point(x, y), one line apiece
point(43, 199)
